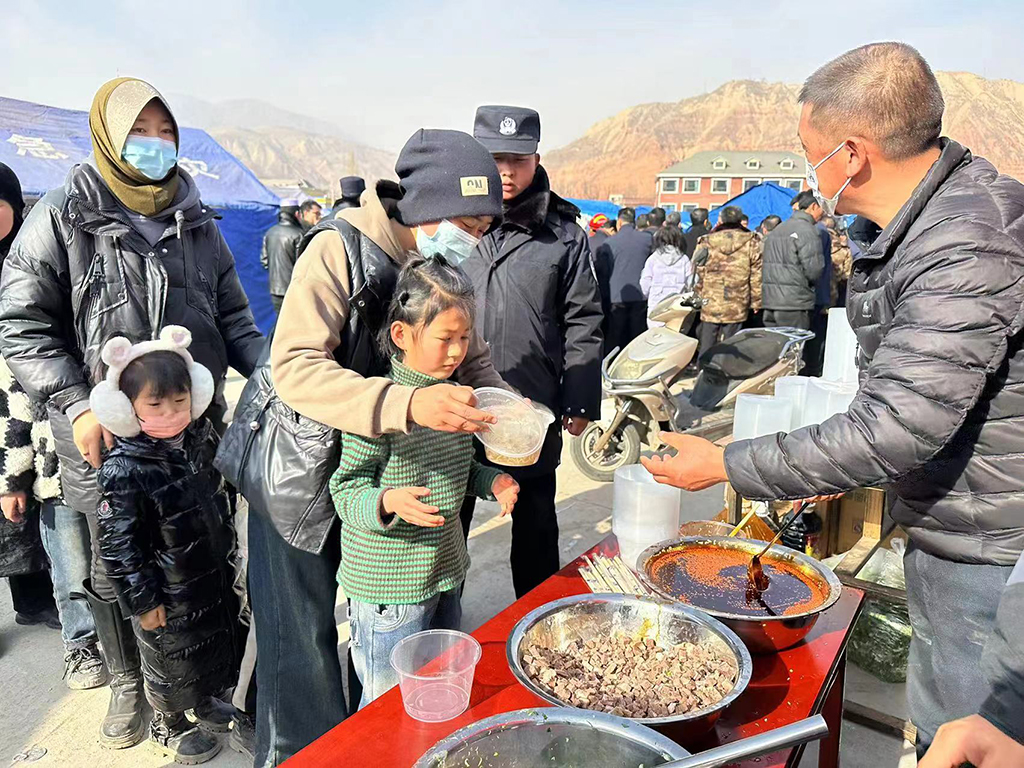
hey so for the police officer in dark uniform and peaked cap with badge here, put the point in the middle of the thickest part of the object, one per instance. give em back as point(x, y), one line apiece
point(540, 311)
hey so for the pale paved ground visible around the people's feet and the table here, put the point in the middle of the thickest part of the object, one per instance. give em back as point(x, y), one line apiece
point(42, 722)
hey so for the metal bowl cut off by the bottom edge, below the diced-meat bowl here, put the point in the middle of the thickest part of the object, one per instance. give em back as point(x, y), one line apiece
point(546, 737)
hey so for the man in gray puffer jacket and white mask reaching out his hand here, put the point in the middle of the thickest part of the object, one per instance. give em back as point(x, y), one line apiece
point(937, 304)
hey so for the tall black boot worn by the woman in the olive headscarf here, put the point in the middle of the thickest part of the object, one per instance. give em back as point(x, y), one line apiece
point(124, 726)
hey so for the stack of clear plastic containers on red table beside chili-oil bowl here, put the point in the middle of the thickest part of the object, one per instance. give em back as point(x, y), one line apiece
point(644, 513)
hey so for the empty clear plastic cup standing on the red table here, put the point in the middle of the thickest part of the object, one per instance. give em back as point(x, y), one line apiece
point(436, 673)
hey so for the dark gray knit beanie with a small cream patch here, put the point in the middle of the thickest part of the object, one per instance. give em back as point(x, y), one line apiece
point(446, 175)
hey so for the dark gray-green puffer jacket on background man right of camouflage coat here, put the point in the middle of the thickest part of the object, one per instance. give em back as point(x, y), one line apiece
point(793, 262)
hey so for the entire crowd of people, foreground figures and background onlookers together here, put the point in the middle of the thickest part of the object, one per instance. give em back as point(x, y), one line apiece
point(352, 443)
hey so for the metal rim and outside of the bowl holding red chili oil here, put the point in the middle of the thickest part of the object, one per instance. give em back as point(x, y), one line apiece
point(761, 634)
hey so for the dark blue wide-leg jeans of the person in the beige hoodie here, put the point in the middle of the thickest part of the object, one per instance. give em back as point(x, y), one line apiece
point(300, 695)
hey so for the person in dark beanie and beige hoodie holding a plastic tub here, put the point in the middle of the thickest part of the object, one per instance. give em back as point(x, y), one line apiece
point(326, 366)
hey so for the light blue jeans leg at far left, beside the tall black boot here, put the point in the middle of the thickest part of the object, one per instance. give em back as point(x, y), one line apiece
point(66, 539)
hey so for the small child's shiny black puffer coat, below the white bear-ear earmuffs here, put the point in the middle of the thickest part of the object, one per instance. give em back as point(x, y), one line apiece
point(165, 537)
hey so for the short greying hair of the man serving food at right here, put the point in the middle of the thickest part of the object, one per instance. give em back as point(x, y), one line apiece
point(883, 92)
